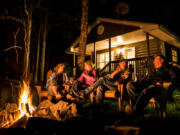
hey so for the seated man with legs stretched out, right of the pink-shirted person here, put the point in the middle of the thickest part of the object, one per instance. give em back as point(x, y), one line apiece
point(120, 75)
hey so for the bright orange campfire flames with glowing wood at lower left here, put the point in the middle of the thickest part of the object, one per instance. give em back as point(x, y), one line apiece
point(24, 108)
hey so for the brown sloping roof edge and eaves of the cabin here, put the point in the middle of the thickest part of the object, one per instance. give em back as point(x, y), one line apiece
point(154, 30)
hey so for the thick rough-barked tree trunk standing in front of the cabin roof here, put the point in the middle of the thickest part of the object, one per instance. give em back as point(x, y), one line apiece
point(83, 35)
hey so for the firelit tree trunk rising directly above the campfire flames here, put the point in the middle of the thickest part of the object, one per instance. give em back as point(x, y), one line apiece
point(27, 40)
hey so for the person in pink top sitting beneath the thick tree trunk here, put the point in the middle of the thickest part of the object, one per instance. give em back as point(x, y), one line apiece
point(87, 78)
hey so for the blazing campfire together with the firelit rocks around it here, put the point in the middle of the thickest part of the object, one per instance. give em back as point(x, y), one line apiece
point(18, 114)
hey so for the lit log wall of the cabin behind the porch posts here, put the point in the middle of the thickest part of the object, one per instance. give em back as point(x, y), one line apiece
point(140, 50)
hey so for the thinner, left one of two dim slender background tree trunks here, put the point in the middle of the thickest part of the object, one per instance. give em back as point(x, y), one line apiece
point(37, 54)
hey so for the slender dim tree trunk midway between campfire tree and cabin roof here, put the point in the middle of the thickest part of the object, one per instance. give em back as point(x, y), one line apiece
point(43, 54)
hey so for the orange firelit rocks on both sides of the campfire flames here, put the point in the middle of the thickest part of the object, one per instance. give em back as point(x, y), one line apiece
point(46, 109)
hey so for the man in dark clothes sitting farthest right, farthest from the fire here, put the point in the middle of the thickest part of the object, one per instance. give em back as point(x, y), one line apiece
point(151, 86)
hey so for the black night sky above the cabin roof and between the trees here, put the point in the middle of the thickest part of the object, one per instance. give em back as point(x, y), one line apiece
point(64, 19)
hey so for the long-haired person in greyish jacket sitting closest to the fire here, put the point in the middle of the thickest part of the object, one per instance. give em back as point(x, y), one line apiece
point(56, 81)
